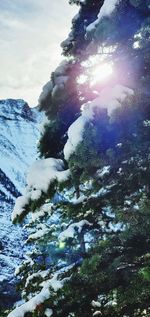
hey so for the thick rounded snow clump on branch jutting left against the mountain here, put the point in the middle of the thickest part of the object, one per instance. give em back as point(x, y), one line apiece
point(41, 174)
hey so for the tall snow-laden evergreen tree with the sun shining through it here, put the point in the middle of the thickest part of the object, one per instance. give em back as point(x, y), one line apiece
point(87, 199)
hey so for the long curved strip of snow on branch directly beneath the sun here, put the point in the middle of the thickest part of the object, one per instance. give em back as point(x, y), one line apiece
point(109, 98)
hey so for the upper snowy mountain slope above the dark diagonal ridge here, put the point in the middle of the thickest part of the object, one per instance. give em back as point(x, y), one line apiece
point(18, 135)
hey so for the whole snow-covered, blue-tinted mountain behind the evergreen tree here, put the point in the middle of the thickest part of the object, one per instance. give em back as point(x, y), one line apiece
point(19, 131)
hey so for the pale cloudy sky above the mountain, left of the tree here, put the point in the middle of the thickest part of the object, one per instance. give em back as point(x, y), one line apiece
point(30, 35)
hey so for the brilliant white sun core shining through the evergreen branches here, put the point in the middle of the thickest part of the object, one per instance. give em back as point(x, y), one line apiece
point(101, 72)
